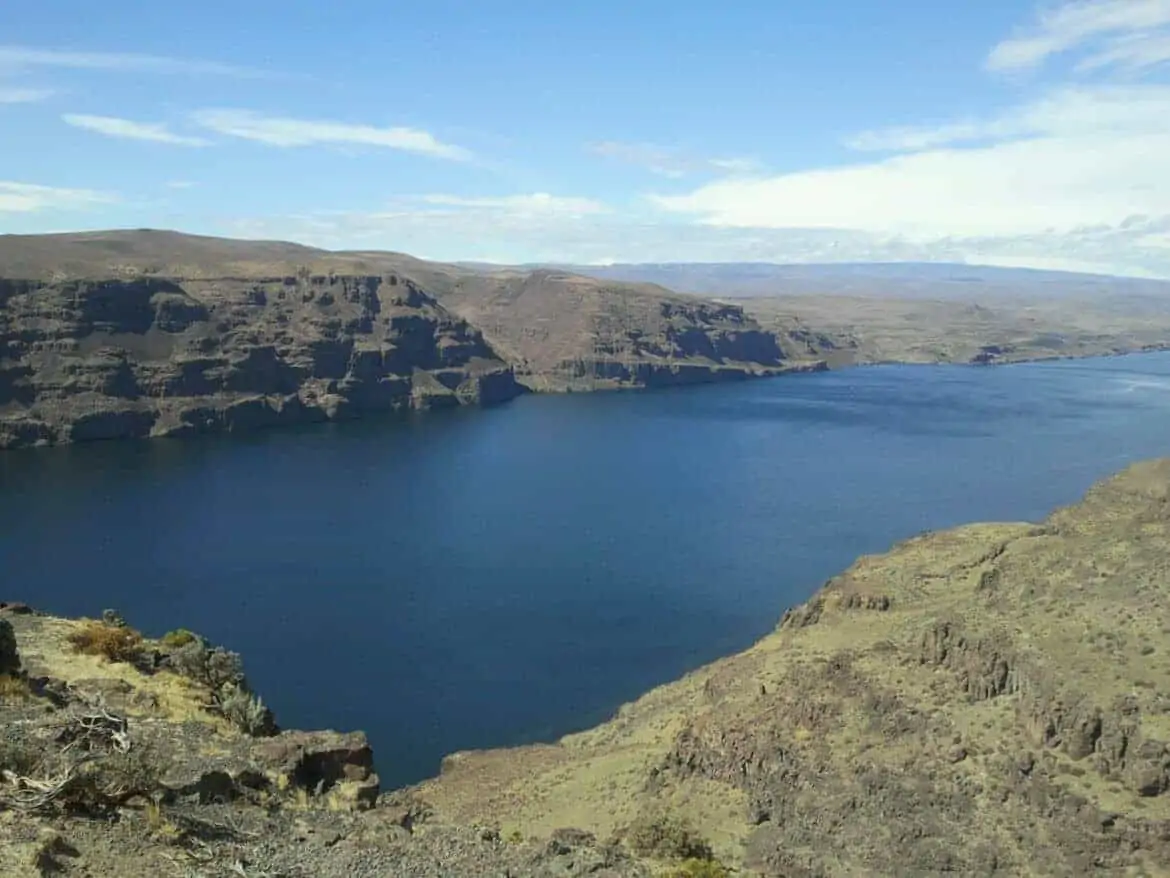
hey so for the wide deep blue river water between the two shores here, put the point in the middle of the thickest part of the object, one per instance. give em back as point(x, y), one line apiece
point(491, 578)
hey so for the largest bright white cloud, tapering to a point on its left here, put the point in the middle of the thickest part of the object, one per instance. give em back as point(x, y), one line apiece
point(1078, 159)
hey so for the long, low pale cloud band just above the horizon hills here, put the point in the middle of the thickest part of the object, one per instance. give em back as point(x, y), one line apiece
point(507, 237)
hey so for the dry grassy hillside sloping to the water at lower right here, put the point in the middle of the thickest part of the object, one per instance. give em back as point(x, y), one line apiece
point(992, 699)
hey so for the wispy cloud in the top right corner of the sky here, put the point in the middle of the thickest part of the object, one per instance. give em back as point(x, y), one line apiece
point(1117, 33)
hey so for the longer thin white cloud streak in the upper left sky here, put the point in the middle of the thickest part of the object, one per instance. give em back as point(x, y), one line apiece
point(284, 132)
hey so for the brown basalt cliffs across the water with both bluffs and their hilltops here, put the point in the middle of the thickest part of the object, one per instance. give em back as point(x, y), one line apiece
point(134, 334)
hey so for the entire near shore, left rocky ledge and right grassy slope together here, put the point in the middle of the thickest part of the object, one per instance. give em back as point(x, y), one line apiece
point(992, 699)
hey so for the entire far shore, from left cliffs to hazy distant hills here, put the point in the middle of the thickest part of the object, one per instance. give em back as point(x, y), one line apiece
point(153, 333)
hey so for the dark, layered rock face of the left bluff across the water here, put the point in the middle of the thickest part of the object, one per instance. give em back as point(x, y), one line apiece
point(157, 356)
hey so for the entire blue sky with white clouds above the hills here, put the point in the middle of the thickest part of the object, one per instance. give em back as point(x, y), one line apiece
point(999, 133)
